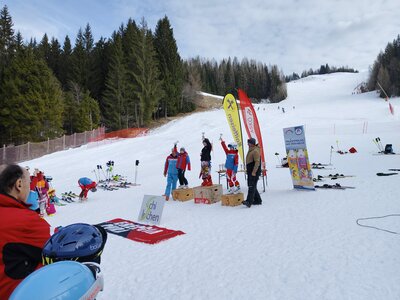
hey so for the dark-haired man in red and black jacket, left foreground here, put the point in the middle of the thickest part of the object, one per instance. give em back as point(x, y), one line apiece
point(22, 232)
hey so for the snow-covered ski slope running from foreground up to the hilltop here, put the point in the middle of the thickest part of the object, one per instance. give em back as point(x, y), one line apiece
point(297, 245)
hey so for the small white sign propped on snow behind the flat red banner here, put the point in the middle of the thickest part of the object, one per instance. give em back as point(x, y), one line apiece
point(151, 210)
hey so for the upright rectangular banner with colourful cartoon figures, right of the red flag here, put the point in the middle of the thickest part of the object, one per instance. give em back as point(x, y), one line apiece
point(296, 151)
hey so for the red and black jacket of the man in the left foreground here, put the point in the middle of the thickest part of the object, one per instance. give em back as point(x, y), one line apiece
point(22, 236)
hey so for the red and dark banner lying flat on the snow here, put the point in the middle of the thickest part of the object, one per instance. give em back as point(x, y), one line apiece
point(148, 234)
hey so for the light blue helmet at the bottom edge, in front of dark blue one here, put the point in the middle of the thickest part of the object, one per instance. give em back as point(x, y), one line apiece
point(66, 280)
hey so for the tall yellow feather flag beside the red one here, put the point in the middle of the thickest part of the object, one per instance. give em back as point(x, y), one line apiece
point(232, 116)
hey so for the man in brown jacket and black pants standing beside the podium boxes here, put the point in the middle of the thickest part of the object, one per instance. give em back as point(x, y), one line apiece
point(253, 170)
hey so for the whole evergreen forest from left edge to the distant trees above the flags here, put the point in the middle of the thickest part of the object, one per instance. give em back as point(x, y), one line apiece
point(49, 88)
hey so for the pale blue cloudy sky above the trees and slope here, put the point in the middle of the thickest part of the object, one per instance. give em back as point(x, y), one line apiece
point(295, 35)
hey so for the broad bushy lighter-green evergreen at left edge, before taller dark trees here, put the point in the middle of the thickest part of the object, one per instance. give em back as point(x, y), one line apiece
point(33, 110)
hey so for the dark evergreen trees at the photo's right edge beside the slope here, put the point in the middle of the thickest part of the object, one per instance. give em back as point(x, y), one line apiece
point(386, 71)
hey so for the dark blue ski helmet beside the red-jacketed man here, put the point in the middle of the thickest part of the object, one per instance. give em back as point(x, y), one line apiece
point(80, 242)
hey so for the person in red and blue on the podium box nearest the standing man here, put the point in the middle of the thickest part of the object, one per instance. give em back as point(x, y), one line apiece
point(231, 165)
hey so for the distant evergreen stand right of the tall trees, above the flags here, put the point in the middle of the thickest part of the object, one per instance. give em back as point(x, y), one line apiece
point(258, 80)
